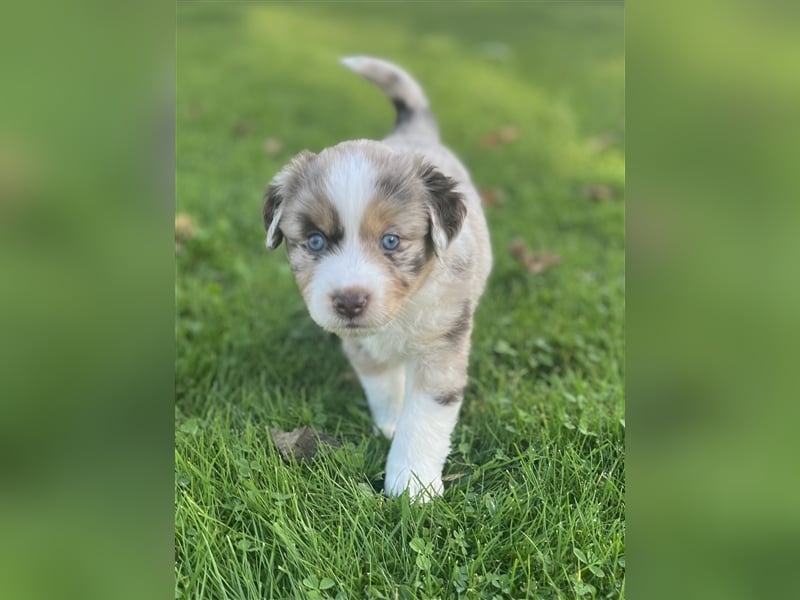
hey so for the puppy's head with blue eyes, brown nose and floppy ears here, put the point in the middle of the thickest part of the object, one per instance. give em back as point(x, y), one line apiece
point(363, 225)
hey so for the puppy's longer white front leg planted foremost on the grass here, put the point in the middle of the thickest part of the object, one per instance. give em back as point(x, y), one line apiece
point(434, 391)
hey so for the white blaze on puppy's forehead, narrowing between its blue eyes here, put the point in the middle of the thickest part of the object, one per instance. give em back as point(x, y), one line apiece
point(350, 186)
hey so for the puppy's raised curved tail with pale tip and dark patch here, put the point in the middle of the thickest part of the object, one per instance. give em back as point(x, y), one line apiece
point(413, 111)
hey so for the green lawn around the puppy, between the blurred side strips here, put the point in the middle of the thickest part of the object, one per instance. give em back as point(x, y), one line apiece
point(534, 505)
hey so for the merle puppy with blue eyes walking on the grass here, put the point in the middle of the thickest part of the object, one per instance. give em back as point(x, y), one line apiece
point(390, 250)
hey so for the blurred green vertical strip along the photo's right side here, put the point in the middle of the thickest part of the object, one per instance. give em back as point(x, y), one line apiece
point(712, 95)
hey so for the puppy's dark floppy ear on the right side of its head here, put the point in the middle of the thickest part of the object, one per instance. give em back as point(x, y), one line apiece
point(446, 206)
